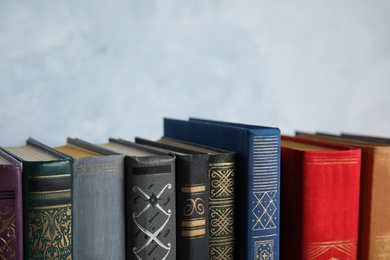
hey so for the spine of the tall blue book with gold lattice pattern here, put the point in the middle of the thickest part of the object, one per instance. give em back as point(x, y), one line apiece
point(264, 193)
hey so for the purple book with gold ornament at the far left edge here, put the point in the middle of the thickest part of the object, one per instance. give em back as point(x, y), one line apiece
point(11, 211)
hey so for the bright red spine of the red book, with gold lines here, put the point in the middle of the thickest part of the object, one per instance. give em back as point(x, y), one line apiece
point(331, 207)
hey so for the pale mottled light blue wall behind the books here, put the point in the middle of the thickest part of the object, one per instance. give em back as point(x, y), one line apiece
point(99, 69)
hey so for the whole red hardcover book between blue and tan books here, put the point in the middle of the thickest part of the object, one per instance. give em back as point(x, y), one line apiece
point(320, 187)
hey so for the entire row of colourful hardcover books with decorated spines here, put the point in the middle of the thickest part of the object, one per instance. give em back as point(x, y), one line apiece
point(205, 190)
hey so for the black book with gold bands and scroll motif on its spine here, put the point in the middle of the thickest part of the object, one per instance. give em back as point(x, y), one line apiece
point(192, 201)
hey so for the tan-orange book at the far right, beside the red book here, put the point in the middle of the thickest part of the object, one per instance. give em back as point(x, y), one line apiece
point(374, 218)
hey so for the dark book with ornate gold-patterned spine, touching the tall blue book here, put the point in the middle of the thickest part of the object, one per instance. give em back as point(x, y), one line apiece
point(221, 177)
